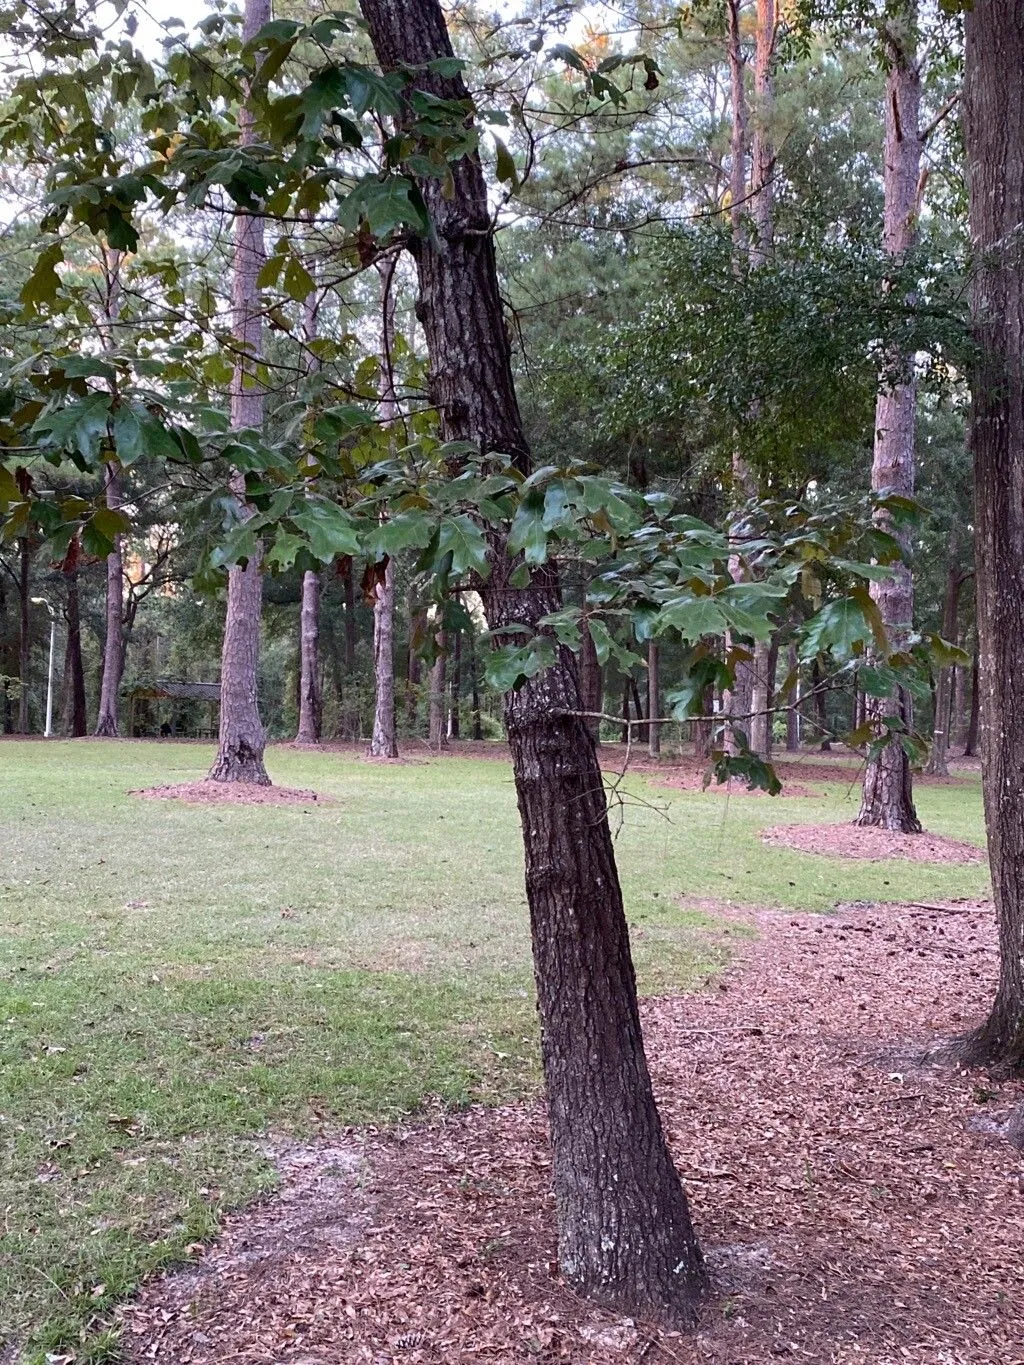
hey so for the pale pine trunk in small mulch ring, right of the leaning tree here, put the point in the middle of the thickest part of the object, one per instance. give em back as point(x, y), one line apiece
point(888, 796)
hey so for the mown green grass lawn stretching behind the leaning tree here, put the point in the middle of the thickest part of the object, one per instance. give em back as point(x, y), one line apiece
point(177, 982)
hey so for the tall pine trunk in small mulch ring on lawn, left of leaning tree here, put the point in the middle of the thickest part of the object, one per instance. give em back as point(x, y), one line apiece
point(242, 736)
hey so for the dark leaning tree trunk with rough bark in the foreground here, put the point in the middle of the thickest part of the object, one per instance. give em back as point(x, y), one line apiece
point(625, 1231)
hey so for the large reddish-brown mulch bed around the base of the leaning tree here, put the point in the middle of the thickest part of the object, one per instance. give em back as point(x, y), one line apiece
point(857, 1203)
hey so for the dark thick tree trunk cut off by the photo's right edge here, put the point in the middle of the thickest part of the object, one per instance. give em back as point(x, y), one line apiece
point(995, 137)
